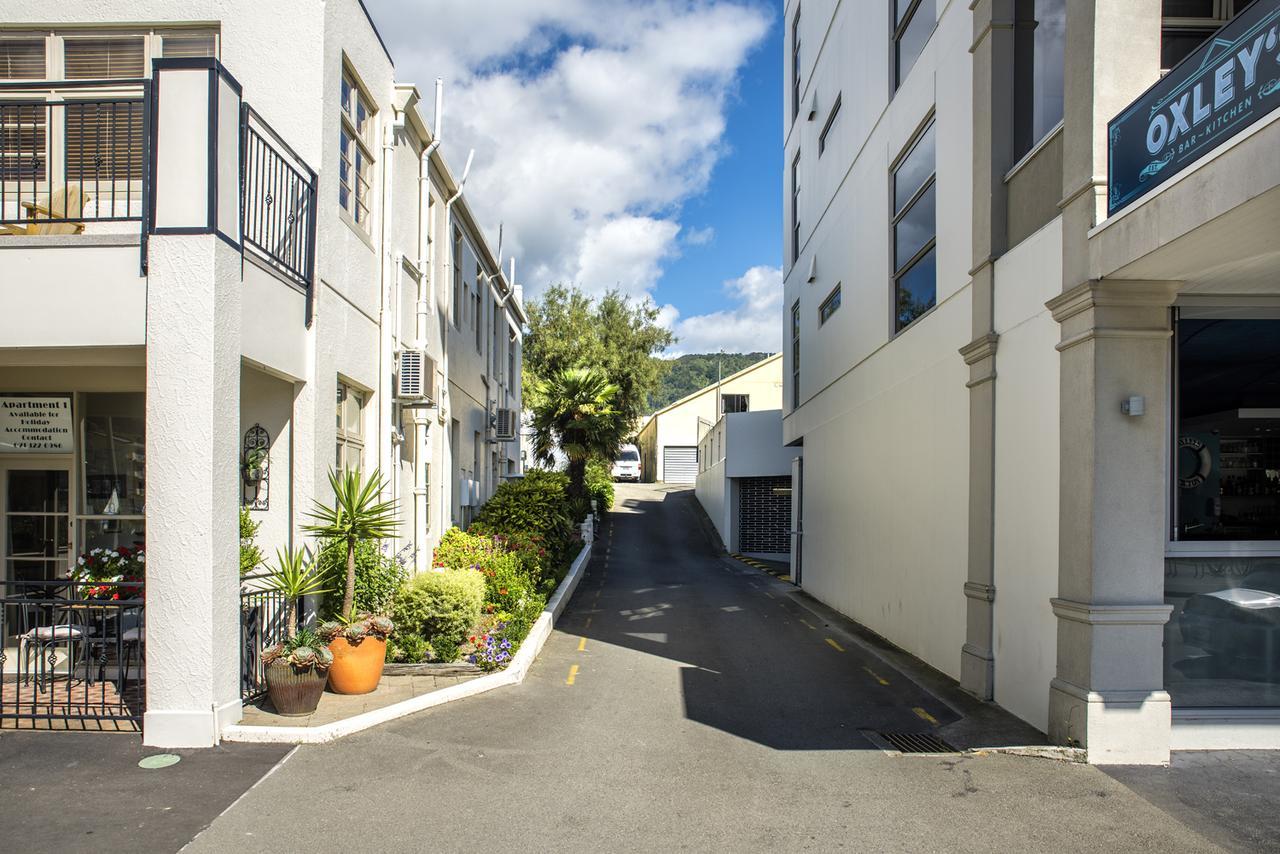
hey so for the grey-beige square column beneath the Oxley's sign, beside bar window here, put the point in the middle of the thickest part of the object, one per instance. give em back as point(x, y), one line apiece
point(1109, 692)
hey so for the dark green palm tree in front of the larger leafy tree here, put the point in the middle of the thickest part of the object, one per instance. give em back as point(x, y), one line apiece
point(577, 412)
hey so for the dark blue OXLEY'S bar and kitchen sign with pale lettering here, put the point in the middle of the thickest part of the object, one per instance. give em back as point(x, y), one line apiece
point(1232, 81)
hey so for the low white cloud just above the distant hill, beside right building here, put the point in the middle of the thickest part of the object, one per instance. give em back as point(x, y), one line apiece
point(755, 325)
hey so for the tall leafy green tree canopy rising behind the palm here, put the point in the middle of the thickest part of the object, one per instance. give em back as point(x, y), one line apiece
point(621, 336)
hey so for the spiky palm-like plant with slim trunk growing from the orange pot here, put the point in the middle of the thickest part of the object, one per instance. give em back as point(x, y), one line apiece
point(358, 514)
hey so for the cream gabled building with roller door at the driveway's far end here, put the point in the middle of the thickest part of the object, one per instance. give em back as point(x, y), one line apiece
point(669, 439)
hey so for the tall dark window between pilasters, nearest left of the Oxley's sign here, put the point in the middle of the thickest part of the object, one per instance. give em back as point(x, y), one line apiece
point(1040, 42)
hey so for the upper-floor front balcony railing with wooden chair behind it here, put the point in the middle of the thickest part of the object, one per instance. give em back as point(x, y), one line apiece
point(74, 153)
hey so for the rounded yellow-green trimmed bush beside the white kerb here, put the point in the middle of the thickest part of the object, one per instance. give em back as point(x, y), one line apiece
point(440, 608)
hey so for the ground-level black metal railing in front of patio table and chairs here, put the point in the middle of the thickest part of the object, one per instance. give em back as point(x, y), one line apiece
point(74, 655)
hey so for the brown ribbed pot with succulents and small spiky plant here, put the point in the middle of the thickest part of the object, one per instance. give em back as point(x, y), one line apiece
point(298, 669)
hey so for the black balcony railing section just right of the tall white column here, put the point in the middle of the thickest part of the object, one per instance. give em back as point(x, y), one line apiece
point(280, 202)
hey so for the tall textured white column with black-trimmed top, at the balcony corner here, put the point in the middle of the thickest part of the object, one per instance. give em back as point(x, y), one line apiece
point(193, 410)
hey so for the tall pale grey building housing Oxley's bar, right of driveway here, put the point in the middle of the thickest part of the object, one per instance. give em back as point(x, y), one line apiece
point(1032, 299)
